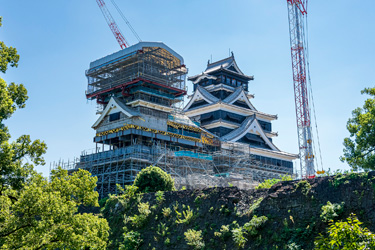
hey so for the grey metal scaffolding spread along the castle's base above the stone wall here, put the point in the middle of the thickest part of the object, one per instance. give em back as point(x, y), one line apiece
point(231, 165)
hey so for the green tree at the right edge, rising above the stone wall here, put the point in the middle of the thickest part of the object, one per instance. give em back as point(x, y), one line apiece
point(359, 148)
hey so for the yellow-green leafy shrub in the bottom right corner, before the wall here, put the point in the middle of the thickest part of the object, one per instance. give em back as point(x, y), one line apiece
point(346, 235)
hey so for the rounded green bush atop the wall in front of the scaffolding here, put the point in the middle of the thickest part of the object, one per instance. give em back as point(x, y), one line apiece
point(153, 179)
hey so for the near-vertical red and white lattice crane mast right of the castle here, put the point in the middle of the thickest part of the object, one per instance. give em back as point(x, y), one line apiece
point(296, 13)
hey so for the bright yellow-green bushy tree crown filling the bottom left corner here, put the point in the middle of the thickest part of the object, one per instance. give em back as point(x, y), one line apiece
point(44, 214)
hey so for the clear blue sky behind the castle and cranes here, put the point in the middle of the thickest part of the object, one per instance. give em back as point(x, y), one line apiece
point(58, 39)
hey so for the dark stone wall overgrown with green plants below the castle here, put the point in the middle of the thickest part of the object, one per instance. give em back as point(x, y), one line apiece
point(288, 215)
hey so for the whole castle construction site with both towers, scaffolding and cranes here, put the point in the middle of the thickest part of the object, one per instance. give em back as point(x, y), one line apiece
point(217, 139)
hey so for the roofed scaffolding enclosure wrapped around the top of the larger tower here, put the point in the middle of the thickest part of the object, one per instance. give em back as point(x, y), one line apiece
point(154, 64)
